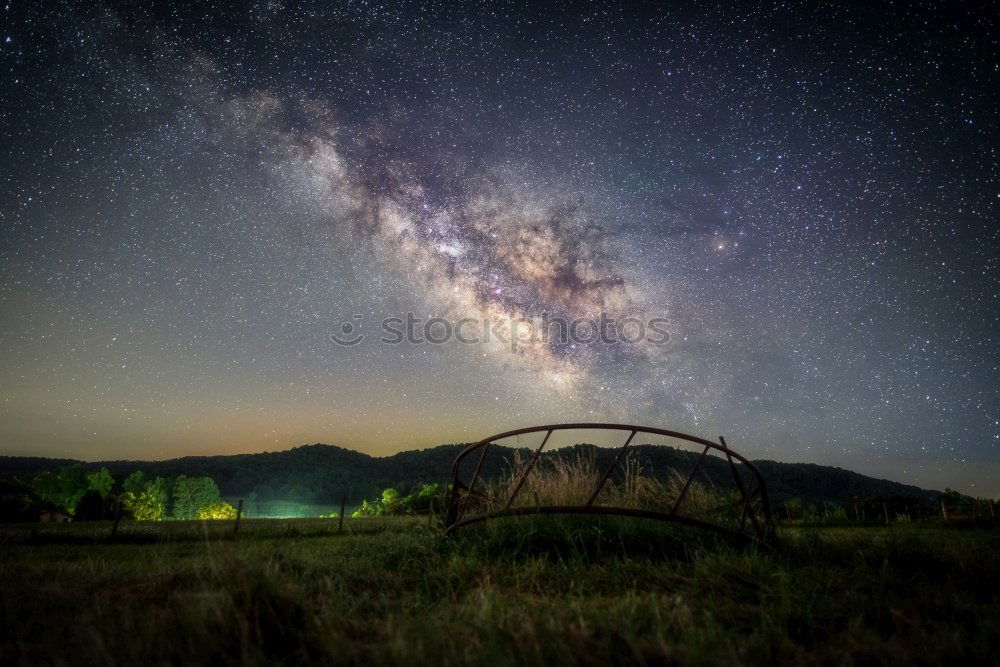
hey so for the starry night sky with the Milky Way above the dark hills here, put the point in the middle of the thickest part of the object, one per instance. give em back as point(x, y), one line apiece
point(196, 197)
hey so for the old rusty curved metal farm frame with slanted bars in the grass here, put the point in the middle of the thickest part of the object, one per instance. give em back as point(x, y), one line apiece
point(749, 520)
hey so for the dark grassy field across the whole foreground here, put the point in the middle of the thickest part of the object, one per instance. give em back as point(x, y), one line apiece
point(528, 592)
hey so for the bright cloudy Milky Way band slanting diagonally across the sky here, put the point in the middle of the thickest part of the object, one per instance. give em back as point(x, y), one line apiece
point(486, 246)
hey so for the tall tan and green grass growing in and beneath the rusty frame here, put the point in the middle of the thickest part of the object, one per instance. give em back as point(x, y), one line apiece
point(559, 481)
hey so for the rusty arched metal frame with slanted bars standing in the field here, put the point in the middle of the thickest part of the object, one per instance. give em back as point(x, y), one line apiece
point(753, 499)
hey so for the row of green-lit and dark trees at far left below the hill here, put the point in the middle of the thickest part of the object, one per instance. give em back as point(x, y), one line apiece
point(89, 495)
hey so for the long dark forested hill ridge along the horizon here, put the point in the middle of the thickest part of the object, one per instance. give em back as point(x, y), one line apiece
point(323, 473)
